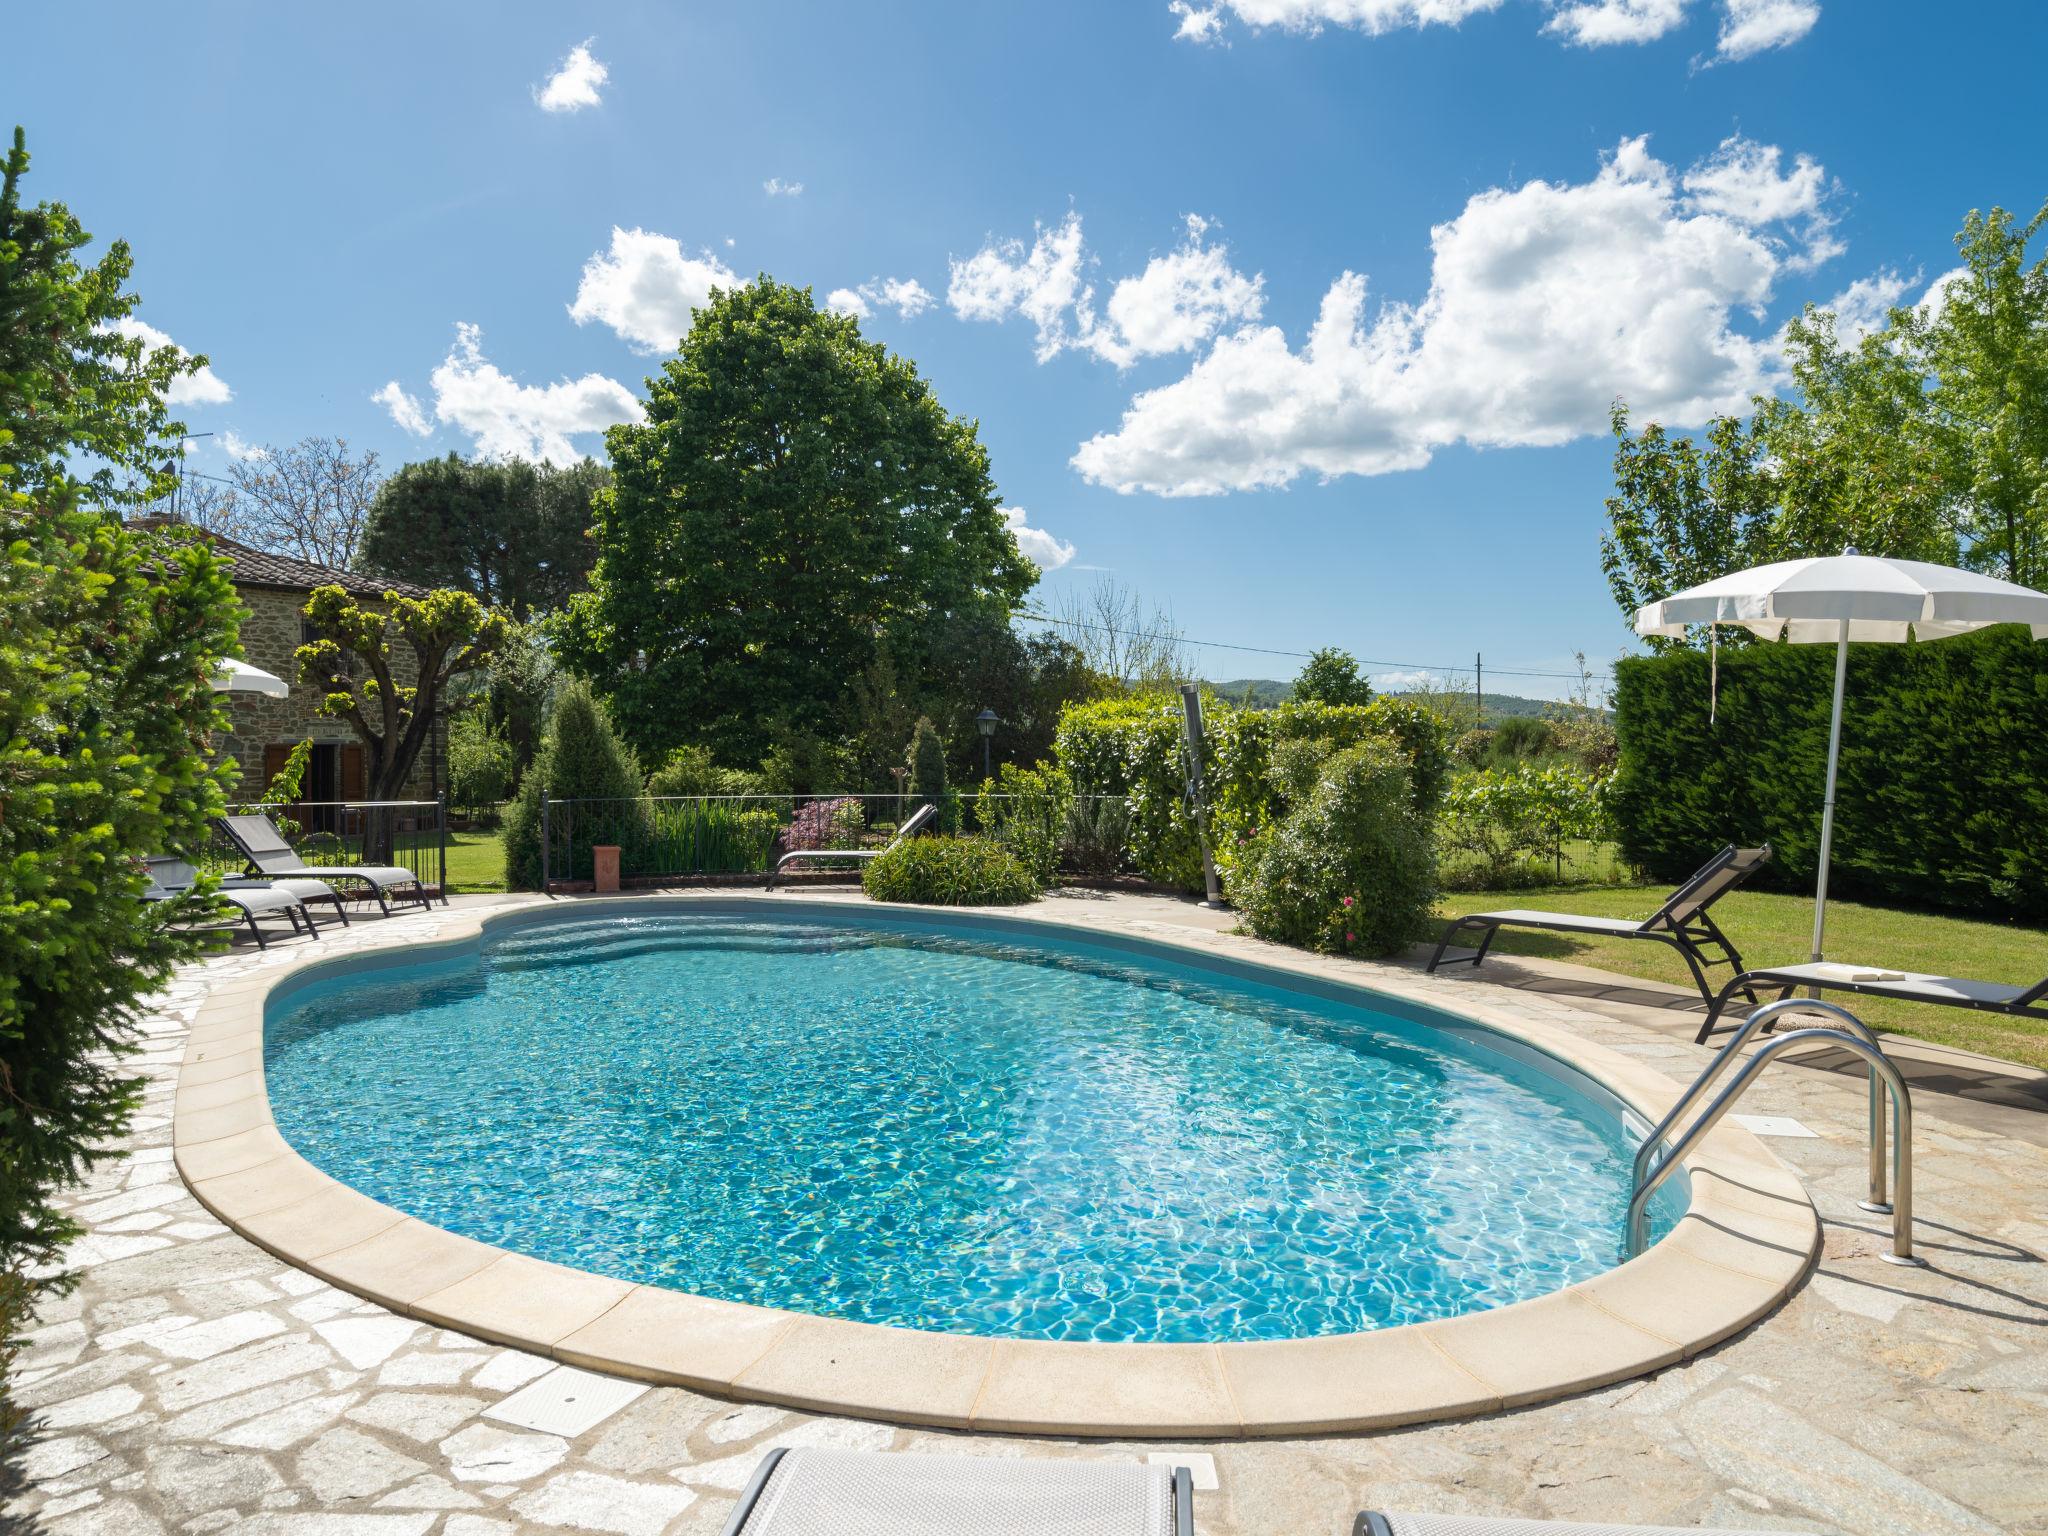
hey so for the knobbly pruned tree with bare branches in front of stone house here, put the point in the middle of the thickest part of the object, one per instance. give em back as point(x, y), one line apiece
point(351, 663)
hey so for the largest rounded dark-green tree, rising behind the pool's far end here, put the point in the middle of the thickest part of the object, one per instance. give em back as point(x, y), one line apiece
point(796, 503)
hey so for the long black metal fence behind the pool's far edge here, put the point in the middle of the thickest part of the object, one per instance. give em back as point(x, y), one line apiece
point(665, 839)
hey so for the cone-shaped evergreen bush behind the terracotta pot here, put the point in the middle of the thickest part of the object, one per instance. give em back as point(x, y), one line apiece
point(581, 761)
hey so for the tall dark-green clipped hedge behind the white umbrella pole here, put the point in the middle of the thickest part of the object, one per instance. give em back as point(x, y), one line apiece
point(1945, 767)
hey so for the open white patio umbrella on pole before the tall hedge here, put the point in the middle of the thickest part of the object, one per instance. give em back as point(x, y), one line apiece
point(1846, 599)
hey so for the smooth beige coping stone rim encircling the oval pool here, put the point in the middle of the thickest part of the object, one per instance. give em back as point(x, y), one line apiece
point(1746, 1242)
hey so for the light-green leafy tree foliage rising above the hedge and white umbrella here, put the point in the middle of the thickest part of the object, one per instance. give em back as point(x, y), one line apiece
point(1926, 439)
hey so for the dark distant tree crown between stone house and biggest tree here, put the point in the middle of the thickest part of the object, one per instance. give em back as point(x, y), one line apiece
point(513, 536)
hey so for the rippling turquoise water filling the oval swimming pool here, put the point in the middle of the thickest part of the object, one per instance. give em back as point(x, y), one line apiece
point(949, 1129)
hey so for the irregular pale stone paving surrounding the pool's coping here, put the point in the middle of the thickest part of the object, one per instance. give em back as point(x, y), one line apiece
point(194, 1383)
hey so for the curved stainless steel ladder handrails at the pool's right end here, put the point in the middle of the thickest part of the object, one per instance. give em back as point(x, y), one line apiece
point(1852, 1037)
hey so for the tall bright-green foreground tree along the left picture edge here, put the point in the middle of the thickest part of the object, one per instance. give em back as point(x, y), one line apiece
point(108, 644)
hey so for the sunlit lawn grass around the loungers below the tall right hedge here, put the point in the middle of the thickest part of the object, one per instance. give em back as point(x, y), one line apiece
point(1779, 931)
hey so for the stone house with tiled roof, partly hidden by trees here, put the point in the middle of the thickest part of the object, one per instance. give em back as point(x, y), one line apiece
point(265, 730)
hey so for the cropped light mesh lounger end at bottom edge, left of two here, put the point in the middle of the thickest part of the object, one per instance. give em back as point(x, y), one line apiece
point(884, 1494)
